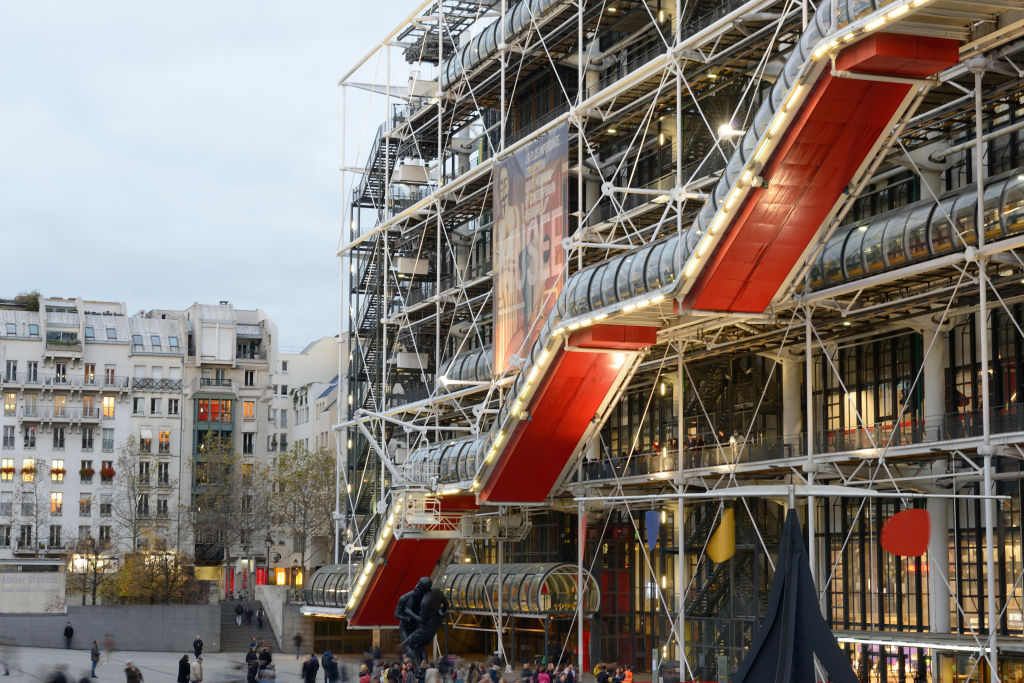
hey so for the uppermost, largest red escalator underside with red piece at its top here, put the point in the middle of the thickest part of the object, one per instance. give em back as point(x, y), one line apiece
point(840, 122)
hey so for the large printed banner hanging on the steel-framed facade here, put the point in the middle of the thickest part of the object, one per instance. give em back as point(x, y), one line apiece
point(531, 200)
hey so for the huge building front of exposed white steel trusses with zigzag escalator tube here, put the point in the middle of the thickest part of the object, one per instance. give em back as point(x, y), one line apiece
point(801, 224)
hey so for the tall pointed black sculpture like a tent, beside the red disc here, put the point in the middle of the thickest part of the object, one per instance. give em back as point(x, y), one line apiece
point(794, 632)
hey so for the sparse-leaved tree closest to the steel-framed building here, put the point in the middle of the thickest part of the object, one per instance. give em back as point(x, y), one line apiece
point(304, 500)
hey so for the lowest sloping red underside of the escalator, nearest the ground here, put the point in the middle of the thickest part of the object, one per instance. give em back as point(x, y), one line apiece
point(407, 561)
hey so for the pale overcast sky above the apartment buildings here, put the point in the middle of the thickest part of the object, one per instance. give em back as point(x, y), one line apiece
point(160, 154)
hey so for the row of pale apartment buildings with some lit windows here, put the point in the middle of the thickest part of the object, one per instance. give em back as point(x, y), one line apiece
point(86, 382)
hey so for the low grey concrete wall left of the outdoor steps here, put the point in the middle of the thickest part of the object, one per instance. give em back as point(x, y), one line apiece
point(153, 628)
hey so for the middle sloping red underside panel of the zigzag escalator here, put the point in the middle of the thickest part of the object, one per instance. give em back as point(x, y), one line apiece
point(572, 393)
